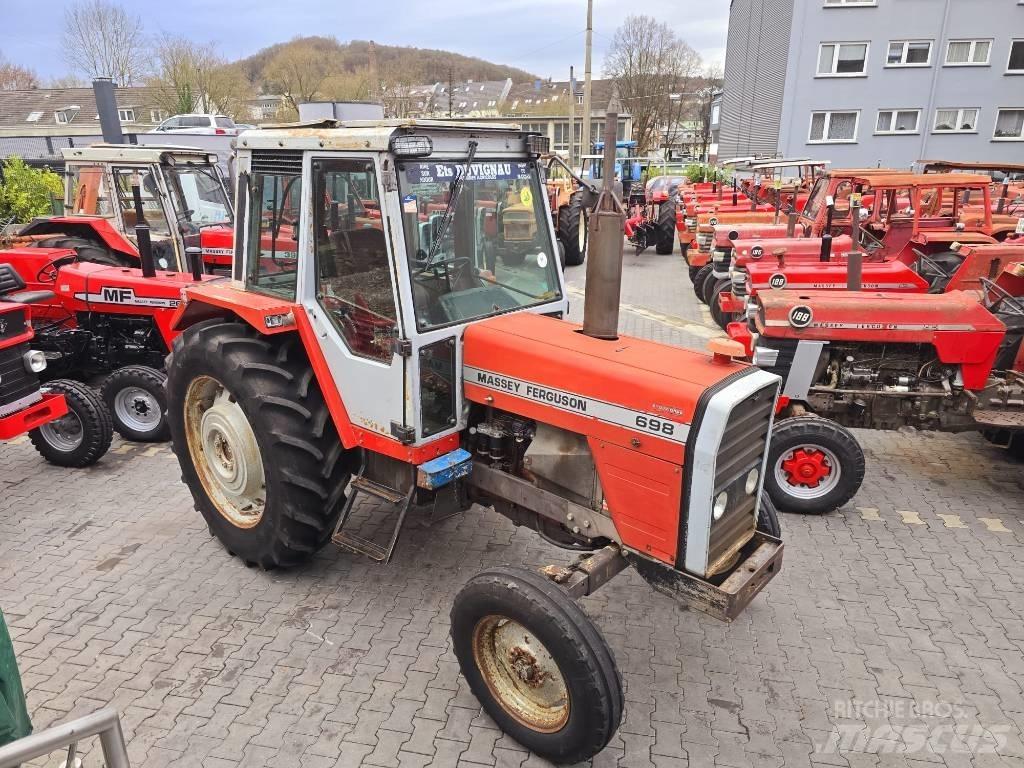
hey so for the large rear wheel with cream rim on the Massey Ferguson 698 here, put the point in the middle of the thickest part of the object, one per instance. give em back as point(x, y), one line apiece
point(258, 447)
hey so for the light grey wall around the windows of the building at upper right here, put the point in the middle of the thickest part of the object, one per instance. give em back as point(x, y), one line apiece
point(927, 89)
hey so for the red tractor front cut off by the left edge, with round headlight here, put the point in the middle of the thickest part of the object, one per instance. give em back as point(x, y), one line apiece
point(67, 422)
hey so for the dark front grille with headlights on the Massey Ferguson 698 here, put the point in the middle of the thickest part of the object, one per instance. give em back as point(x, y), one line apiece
point(743, 450)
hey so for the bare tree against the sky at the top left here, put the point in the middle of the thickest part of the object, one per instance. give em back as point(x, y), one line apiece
point(102, 39)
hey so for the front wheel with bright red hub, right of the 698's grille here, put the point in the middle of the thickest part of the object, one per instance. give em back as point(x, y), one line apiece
point(815, 465)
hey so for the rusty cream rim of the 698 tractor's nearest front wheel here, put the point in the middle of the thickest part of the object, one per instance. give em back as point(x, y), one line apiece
point(522, 674)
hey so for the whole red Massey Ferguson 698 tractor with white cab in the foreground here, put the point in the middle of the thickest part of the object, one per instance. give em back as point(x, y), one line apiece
point(398, 362)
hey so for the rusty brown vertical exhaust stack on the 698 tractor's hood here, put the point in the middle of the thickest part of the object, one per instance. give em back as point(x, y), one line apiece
point(605, 258)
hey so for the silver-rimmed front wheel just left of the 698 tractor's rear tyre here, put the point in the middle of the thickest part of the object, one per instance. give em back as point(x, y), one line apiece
point(138, 402)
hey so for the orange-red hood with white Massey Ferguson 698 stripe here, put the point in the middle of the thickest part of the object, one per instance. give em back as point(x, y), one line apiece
point(631, 393)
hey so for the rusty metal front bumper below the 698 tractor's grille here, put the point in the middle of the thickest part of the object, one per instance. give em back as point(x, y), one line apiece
point(724, 602)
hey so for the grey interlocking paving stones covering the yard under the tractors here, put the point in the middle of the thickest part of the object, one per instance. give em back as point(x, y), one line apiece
point(893, 636)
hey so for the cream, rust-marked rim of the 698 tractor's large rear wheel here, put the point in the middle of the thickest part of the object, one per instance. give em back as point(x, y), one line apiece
point(225, 452)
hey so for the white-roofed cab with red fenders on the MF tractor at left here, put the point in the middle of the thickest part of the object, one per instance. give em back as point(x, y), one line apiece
point(184, 201)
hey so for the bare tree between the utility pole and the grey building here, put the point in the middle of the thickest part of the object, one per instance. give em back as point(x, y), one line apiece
point(654, 70)
